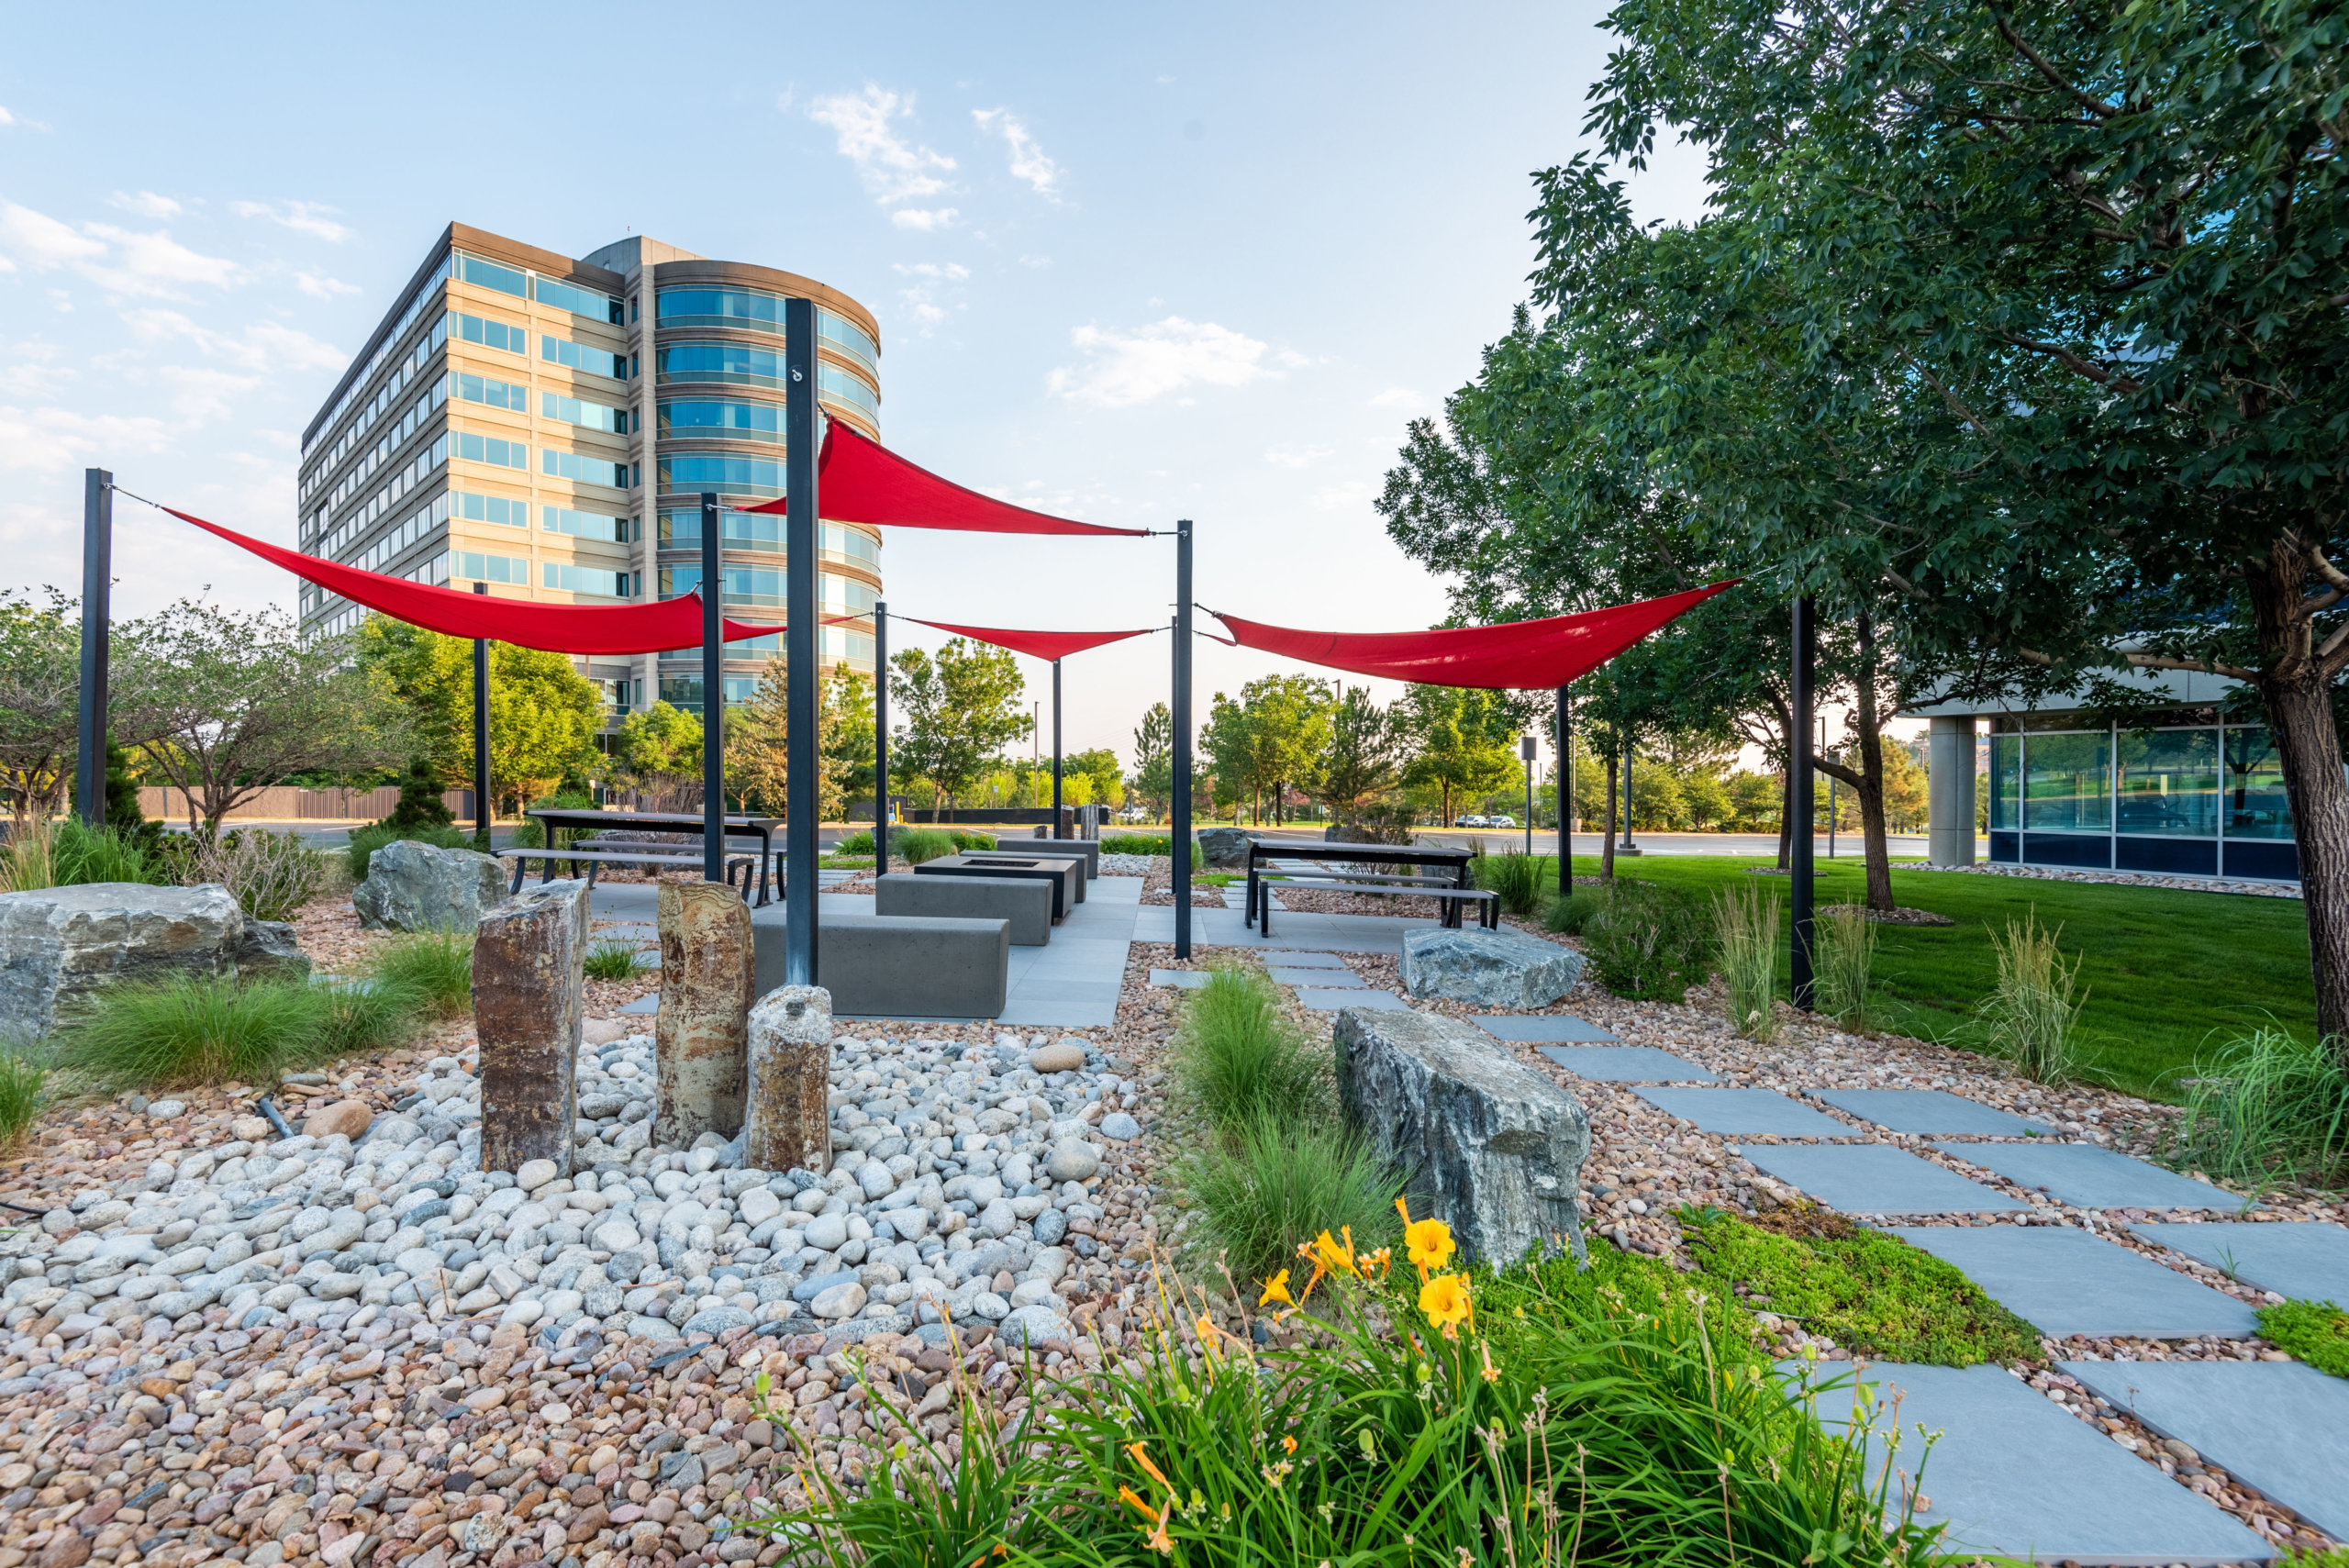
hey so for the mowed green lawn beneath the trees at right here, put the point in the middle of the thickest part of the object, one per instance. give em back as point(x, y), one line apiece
point(2167, 975)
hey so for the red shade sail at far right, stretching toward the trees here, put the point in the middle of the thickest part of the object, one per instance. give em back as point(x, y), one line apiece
point(1514, 656)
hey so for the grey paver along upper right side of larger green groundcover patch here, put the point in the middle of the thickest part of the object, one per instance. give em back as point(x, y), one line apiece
point(2068, 1283)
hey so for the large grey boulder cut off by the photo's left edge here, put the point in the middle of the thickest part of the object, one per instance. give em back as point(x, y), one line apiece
point(62, 945)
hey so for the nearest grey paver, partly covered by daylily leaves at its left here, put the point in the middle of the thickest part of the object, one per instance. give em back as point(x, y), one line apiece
point(2012, 1475)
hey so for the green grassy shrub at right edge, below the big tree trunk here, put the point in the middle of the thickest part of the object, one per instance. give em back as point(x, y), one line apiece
point(2266, 1107)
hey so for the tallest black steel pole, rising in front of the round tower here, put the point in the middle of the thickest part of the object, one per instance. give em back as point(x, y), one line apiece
point(800, 447)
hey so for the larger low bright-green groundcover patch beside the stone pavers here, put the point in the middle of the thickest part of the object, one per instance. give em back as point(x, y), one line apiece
point(1864, 1290)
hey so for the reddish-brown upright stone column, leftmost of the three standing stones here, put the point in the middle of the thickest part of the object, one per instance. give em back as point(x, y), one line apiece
point(527, 1013)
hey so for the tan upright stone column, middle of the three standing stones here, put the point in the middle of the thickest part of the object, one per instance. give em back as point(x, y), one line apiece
point(701, 1041)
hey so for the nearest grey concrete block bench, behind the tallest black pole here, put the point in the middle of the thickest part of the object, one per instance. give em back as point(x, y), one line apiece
point(896, 966)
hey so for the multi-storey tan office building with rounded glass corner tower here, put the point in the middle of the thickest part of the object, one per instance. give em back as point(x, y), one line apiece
point(548, 424)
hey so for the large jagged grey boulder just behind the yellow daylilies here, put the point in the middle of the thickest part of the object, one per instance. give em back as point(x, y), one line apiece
point(1493, 1147)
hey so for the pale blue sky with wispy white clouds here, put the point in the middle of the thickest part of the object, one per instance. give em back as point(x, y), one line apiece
point(1131, 264)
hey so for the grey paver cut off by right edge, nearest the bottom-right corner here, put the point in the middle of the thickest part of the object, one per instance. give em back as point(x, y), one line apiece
point(2275, 1426)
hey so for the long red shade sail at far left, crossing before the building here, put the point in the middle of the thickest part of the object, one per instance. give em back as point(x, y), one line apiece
point(556, 628)
